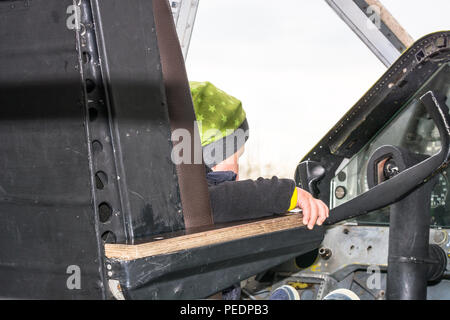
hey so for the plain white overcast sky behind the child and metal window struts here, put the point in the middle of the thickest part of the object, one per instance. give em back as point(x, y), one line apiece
point(296, 67)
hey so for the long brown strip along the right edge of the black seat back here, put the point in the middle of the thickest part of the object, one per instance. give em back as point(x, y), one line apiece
point(191, 177)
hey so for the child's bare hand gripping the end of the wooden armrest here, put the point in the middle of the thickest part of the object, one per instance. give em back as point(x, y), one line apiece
point(314, 210)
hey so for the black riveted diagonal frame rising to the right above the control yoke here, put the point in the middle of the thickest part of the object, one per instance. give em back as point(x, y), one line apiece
point(382, 102)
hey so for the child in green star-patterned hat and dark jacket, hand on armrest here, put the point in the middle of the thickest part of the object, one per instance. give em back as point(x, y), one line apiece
point(224, 130)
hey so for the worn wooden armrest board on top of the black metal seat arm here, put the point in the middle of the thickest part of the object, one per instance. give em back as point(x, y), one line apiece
point(200, 239)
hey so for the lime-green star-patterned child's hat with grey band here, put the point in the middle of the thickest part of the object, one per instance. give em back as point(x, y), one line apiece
point(220, 117)
